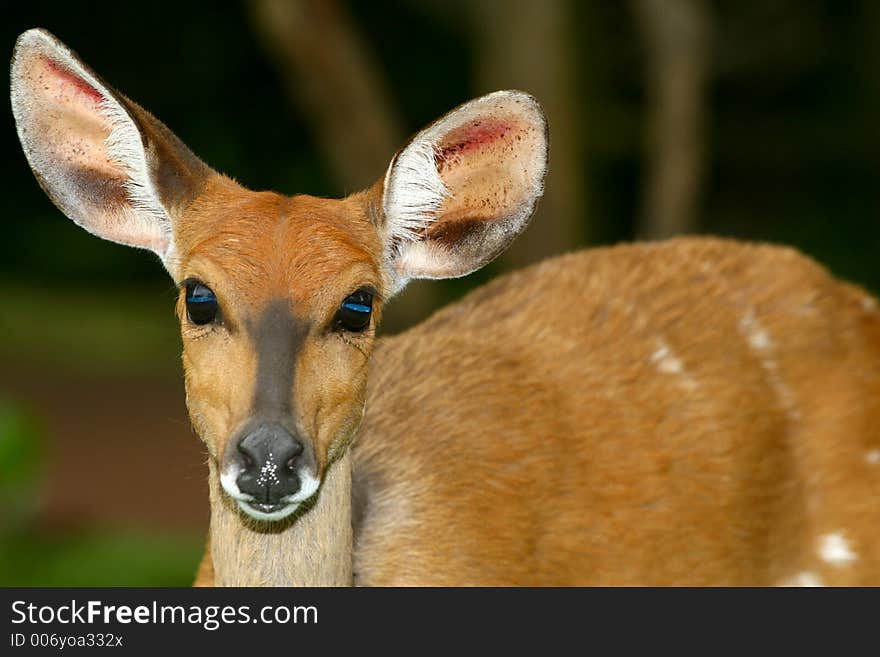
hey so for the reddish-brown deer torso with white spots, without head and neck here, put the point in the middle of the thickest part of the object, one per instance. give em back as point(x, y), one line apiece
point(692, 412)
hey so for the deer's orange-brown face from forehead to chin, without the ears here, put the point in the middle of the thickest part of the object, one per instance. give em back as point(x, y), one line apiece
point(279, 300)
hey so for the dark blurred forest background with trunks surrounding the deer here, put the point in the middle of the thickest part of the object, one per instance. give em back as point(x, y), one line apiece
point(748, 118)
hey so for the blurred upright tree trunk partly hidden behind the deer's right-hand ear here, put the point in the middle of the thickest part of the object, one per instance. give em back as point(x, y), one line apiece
point(528, 45)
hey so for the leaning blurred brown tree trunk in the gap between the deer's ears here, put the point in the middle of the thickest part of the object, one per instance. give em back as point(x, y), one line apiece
point(331, 75)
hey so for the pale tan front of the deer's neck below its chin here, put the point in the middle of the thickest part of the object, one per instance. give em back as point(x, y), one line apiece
point(314, 551)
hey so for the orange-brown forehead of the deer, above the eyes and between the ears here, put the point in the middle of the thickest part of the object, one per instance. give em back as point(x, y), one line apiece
point(268, 247)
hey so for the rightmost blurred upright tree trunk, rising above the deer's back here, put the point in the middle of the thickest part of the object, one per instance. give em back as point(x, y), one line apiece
point(676, 39)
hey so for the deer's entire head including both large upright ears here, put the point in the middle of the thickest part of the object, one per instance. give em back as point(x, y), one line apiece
point(279, 296)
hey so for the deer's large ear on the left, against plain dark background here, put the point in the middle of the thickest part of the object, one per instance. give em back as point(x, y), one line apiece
point(104, 161)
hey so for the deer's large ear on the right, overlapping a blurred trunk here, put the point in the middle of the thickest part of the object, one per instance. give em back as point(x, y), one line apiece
point(464, 187)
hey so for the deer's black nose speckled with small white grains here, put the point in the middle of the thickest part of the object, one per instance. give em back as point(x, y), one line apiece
point(269, 457)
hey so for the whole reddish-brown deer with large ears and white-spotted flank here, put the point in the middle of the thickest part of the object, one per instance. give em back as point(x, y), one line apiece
point(699, 411)
